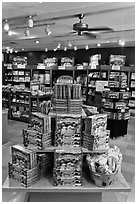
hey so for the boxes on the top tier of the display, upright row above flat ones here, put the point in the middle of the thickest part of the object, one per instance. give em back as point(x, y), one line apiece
point(67, 98)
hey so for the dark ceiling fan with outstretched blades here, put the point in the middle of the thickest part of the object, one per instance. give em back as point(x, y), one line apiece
point(82, 29)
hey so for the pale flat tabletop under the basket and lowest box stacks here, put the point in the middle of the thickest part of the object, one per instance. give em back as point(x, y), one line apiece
point(46, 185)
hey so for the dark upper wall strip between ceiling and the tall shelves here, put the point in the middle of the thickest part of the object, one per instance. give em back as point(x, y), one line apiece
point(80, 55)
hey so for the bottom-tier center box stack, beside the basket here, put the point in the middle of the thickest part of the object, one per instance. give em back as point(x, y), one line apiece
point(67, 167)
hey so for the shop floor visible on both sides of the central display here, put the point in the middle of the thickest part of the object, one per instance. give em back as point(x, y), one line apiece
point(126, 144)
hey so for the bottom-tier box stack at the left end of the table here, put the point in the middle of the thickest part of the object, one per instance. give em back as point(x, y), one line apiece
point(23, 168)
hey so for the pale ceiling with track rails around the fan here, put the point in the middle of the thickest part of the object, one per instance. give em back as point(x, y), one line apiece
point(120, 16)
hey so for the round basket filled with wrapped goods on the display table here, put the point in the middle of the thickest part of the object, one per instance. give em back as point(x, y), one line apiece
point(105, 167)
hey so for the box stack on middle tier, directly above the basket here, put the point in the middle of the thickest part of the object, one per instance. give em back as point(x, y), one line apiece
point(96, 136)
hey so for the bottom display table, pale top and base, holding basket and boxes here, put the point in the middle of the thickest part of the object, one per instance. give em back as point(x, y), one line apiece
point(43, 190)
